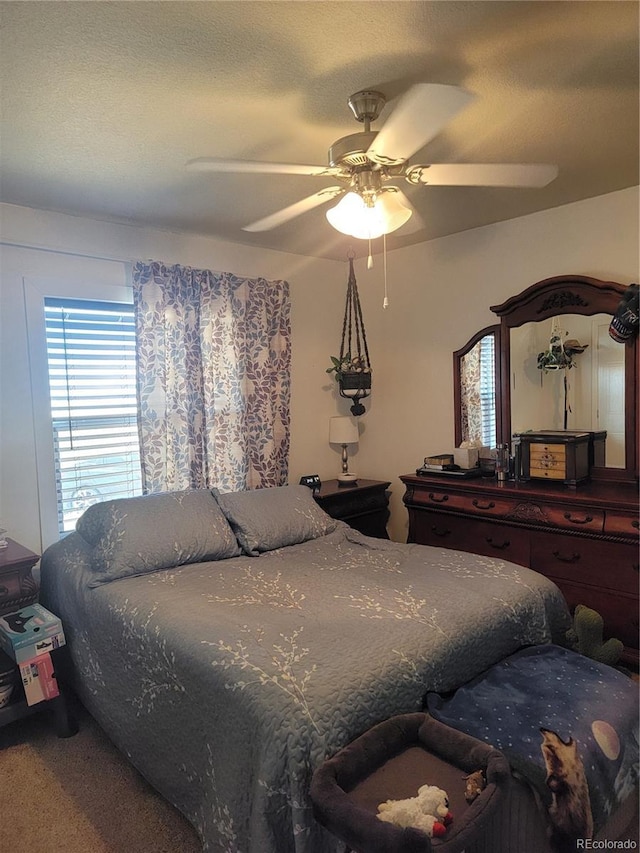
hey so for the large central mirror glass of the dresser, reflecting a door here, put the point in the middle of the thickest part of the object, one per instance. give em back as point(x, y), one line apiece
point(594, 386)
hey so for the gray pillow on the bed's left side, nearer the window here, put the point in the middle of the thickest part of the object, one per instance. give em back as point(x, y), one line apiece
point(132, 536)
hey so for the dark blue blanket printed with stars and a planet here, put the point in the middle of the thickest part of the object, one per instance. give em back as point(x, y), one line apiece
point(570, 696)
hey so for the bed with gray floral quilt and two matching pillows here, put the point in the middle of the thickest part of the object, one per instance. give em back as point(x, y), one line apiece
point(228, 644)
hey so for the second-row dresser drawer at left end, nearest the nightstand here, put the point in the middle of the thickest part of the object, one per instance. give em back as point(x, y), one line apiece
point(479, 537)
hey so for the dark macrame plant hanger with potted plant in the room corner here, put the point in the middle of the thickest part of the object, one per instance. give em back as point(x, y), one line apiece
point(355, 375)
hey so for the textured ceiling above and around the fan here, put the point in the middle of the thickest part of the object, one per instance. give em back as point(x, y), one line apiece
point(103, 103)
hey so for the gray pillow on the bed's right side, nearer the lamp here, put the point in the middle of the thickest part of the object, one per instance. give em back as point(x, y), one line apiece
point(264, 519)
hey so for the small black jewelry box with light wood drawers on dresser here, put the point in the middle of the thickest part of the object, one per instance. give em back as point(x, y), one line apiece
point(563, 455)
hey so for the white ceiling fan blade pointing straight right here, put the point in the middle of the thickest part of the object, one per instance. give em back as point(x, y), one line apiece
point(482, 174)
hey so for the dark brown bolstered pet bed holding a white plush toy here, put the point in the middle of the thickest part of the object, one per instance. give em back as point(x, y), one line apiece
point(391, 761)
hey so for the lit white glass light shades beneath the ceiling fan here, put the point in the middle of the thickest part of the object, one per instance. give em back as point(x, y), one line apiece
point(352, 216)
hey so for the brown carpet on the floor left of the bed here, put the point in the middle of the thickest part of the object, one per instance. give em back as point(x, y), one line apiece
point(80, 795)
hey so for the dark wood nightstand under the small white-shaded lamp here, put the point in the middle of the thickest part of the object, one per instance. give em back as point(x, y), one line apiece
point(365, 506)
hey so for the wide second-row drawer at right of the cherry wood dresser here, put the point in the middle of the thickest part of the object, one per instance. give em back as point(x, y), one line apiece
point(607, 565)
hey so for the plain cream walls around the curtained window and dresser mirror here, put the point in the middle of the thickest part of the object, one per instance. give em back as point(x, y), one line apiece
point(439, 294)
